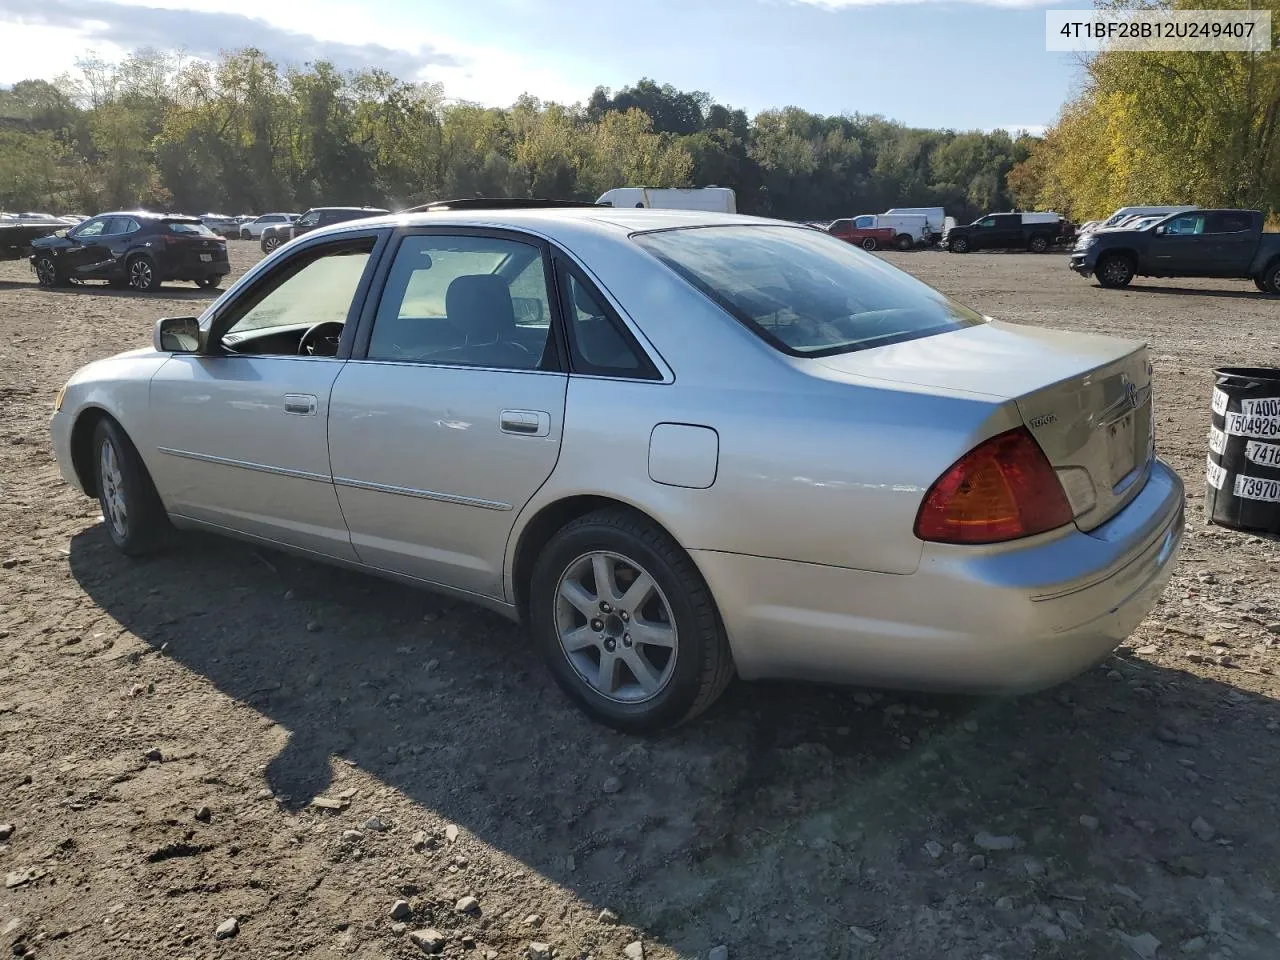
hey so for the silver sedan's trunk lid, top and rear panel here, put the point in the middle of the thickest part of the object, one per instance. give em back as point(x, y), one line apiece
point(1086, 399)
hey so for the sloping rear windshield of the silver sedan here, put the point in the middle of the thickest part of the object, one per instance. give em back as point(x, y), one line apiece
point(807, 294)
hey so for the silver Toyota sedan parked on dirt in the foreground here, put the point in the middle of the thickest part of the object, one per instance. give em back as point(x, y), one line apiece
point(678, 446)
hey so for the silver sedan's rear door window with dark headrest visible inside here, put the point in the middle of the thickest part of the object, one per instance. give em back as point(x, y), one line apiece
point(477, 301)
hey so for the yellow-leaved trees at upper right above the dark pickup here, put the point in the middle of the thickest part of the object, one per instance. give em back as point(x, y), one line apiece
point(1163, 129)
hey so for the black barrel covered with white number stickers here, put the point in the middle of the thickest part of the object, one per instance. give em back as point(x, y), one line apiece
point(1244, 476)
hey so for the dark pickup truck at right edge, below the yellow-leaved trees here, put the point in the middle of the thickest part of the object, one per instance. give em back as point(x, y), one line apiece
point(1228, 244)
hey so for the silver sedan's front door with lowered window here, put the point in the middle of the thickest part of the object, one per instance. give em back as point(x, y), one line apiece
point(241, 435)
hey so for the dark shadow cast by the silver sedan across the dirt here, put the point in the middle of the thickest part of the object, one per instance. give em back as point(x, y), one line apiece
point(776, 822)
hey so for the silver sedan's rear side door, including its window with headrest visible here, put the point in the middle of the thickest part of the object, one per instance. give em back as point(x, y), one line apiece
point(447, 422)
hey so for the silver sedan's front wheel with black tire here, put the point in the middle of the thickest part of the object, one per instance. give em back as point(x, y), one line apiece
point(132, 511)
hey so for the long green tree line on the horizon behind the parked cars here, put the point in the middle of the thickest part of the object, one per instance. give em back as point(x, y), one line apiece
point(246, 135)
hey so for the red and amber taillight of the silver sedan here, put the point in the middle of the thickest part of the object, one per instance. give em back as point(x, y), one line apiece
point(1003, 490)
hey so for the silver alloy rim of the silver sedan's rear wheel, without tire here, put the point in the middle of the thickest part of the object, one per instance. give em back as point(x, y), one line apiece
point(616, 628)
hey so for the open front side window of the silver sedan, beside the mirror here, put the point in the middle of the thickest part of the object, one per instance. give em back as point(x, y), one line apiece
point(309, 289)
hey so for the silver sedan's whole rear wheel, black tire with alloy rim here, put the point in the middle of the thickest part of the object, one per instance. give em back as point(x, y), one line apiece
point(683, 679)
